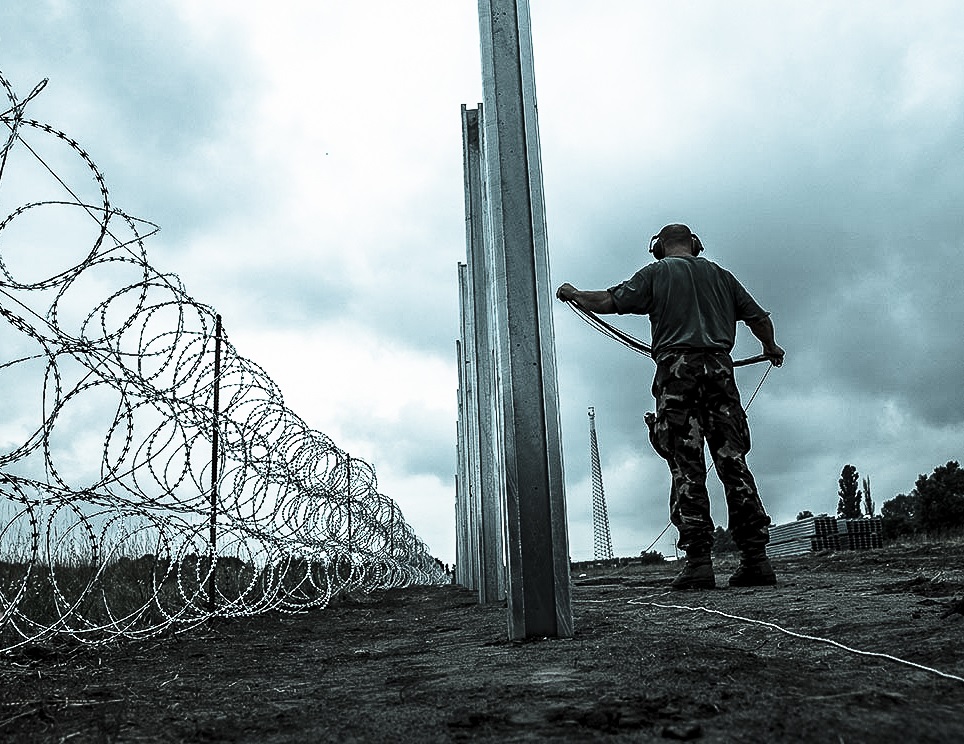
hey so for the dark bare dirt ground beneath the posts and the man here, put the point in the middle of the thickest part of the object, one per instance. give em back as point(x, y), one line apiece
point(431, 665)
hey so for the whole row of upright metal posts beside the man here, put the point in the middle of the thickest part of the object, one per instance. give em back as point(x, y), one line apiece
point(511, 531)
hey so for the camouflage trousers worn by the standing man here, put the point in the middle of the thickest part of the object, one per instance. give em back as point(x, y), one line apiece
point(697, 401)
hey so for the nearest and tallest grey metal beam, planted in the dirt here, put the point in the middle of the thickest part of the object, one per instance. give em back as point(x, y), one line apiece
point(537, 550)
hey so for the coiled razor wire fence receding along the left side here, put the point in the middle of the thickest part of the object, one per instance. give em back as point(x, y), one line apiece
point(121, 418)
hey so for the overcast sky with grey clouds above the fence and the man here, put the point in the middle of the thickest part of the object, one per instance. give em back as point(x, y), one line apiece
point(304, 165)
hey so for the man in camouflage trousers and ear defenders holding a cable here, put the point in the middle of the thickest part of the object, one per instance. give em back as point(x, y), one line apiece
point(693, 306)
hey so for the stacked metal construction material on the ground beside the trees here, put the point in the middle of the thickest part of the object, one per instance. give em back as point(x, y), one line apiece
point(823, 533)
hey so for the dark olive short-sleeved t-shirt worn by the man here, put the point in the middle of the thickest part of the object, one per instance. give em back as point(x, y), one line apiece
point(692, 303)
